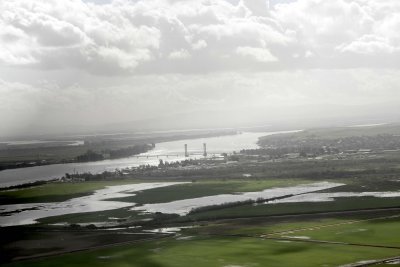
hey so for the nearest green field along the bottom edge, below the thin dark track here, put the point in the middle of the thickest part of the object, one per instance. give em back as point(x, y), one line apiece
point(220, 252)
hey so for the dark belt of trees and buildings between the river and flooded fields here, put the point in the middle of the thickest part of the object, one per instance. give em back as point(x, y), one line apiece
point(310, 169)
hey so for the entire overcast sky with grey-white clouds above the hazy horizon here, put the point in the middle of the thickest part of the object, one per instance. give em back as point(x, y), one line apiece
point(202, 63)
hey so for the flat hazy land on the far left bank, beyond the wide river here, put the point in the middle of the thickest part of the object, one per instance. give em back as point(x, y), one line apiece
point(40, 153)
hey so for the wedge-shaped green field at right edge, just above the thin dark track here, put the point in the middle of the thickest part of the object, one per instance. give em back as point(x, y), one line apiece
point(372, 230)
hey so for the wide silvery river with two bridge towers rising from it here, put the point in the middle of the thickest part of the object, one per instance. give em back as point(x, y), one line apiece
point(175, 150)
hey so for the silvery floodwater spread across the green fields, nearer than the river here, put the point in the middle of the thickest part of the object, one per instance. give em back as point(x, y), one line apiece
point(118, 196)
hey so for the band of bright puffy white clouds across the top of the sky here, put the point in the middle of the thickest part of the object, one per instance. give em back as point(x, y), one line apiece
point(126, 37)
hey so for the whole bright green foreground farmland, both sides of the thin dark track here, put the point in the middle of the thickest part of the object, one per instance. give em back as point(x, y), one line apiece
point(327, 242)
